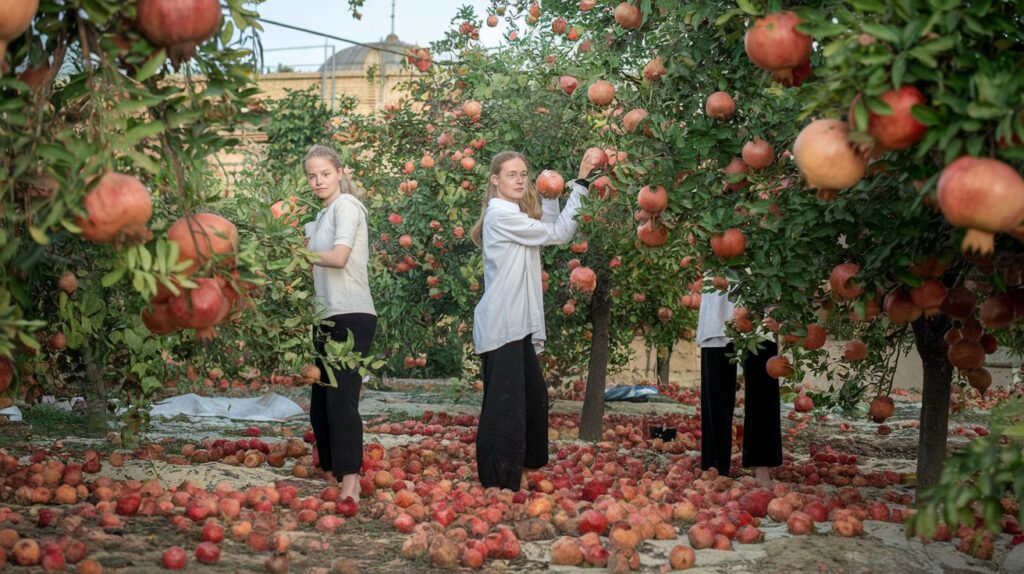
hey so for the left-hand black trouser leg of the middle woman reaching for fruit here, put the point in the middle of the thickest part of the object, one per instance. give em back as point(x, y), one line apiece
point(501, 436)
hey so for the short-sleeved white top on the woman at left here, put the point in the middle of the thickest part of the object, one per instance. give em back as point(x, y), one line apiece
point(346, 290)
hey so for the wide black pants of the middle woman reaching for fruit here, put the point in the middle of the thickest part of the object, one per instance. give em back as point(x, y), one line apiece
point(514, 430)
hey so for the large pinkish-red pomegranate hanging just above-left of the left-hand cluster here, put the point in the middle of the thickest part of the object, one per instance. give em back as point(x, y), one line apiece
point(117, 210)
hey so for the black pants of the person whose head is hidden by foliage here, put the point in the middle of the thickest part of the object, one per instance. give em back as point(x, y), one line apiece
point(762, 424)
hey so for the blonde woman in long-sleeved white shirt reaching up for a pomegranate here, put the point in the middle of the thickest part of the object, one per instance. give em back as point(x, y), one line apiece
point(508, 323)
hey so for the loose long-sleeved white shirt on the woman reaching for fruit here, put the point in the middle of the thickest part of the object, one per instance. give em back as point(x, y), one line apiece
point(513, 306)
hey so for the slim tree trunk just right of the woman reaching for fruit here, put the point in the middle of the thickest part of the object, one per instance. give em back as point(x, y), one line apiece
point(593, 404)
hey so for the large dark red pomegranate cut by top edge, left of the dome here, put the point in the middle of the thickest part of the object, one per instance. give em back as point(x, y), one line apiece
point(179, 25)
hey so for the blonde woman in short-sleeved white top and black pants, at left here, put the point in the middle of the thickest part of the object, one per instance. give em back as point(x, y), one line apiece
point(339, 241)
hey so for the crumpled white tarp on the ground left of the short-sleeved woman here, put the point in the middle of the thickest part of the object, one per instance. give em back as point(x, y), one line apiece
point(268, 408)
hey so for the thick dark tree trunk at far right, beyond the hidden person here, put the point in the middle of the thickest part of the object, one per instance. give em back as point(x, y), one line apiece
point(938, 372)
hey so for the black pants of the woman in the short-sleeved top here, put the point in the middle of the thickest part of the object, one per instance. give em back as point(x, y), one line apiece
point(334, 414)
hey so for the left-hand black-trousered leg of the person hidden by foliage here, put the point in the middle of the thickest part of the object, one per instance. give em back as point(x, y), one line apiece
point(718, 398)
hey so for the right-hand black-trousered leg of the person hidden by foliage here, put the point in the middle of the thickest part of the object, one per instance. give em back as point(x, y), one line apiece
point(762, 422)
